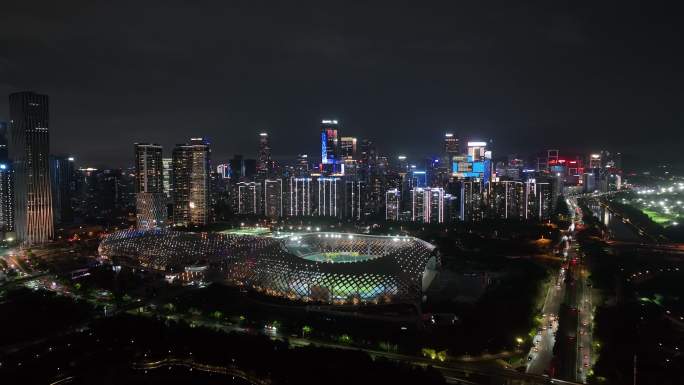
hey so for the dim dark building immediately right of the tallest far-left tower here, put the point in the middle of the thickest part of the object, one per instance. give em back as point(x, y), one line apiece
point(63, 179)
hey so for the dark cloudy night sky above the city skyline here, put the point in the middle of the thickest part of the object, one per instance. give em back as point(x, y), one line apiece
point(576, 75)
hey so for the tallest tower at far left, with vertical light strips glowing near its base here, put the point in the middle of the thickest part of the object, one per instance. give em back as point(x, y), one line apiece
point(29, 150)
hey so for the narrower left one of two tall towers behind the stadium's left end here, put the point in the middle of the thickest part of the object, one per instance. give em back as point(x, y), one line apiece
point(150, 199)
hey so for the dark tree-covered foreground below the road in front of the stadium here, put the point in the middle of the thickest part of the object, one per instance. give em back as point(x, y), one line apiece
point(115, 350)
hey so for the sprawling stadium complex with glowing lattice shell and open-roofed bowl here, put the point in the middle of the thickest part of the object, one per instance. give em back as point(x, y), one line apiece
point(327, 267)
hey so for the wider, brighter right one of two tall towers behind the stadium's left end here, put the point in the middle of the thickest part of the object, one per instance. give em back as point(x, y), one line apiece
point(191, 182)
